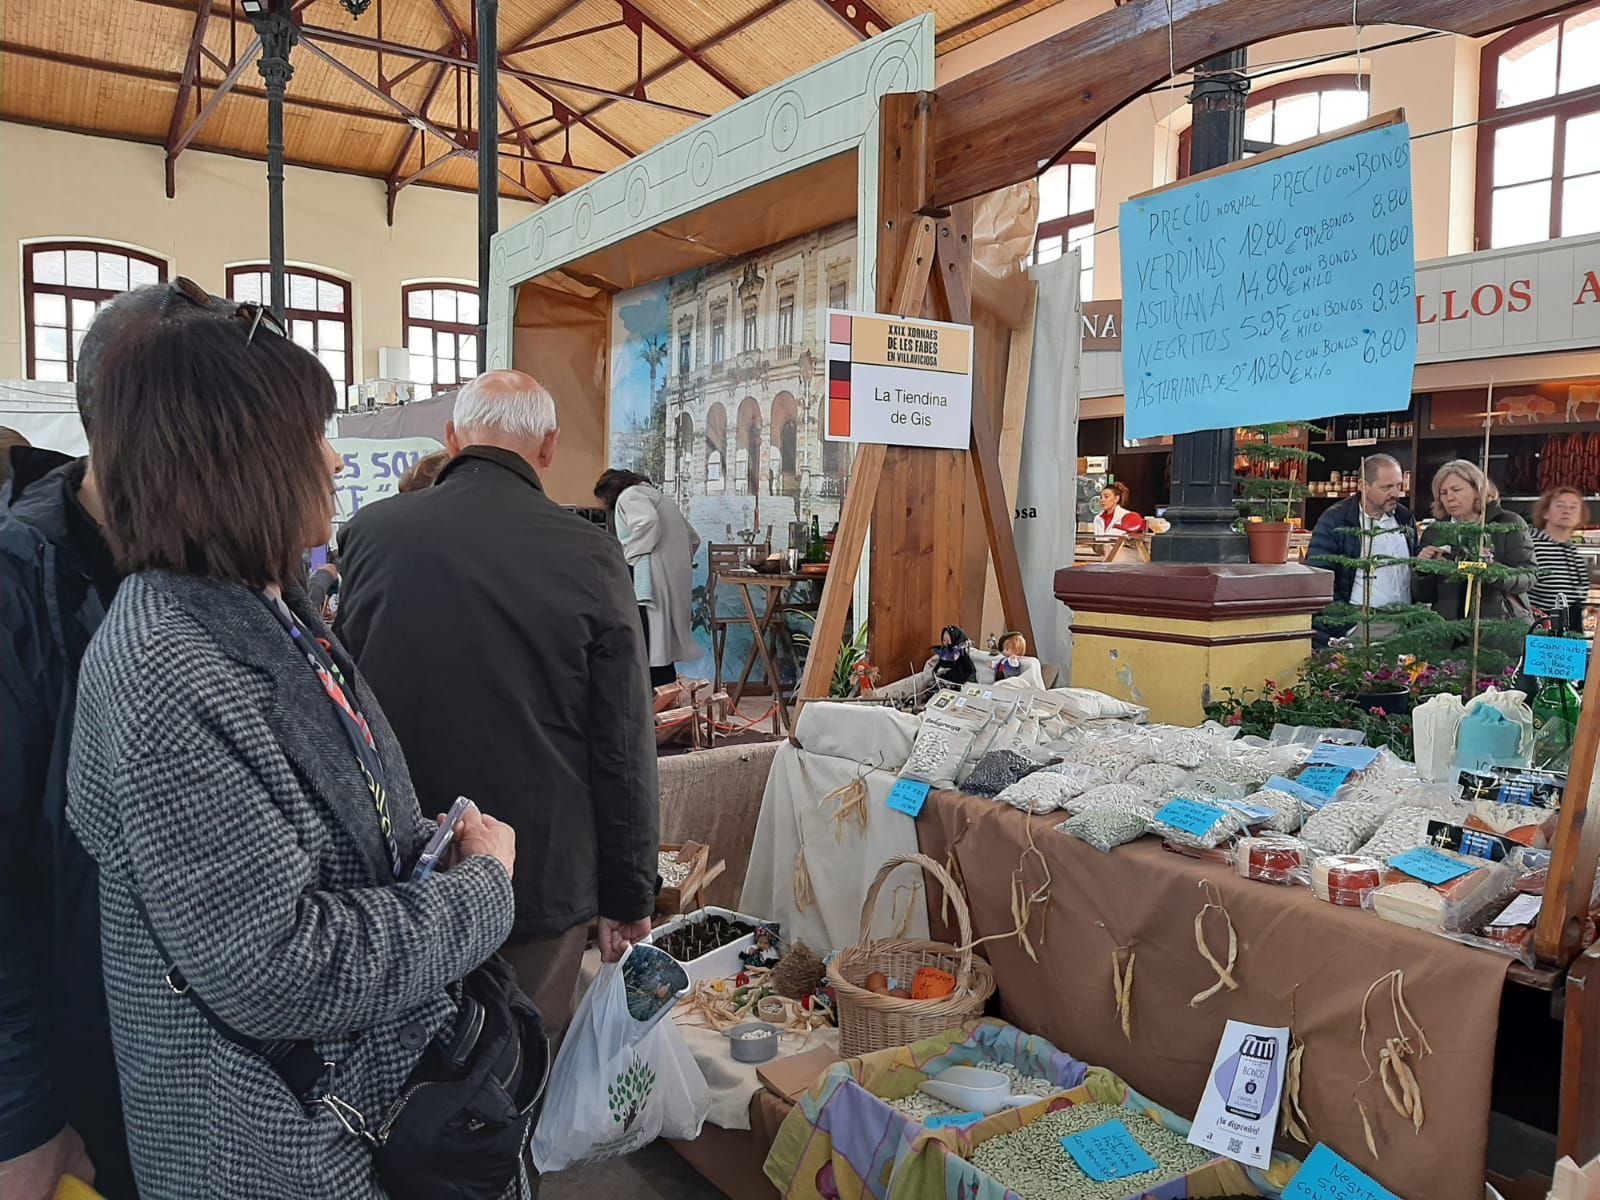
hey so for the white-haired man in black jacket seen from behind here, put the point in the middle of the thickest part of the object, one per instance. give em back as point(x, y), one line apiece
point(502, 636)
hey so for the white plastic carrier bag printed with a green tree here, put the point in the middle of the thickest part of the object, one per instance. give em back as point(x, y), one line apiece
point(618, 1084)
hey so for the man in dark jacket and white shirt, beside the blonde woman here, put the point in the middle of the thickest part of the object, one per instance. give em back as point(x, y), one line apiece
point(1391, 530)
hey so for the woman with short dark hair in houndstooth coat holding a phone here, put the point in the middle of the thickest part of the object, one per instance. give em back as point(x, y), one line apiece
point(244, 796)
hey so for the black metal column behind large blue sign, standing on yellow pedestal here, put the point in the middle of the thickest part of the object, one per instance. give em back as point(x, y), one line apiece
point(1202, 510)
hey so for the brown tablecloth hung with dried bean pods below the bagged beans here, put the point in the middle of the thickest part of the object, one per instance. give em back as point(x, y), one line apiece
point(1297, 954)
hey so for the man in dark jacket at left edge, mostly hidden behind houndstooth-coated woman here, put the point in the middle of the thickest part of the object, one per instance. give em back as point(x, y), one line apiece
point(60, 1108)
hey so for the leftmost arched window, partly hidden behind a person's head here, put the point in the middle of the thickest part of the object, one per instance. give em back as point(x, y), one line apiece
point(65, 284)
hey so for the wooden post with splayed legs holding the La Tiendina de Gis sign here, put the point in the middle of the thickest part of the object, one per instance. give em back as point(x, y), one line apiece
point(926, 260)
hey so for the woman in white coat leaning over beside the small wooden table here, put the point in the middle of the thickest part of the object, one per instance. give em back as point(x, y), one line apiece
point(660, 548)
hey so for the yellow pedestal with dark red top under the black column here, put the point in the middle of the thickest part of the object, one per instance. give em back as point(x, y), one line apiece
point(1169, 636)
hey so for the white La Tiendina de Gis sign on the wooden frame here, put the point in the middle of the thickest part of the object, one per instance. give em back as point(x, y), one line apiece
point(900, 382)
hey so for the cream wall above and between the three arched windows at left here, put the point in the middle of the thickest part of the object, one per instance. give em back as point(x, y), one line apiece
point(63, 185)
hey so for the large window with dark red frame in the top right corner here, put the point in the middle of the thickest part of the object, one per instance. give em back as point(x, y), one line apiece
point(1540, 134)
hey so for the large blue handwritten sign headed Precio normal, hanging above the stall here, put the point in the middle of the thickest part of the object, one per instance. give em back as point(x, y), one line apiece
point(1282, 287)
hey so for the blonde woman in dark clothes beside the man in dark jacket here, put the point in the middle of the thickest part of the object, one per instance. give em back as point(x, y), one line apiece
point(1463, 495)
